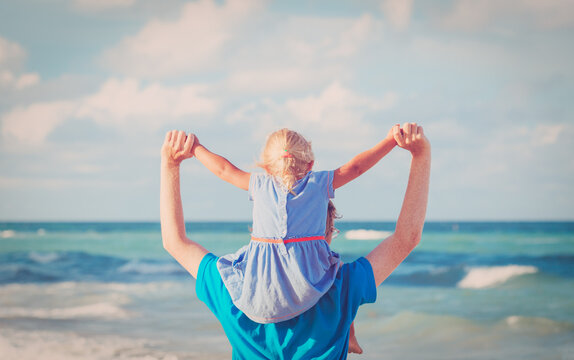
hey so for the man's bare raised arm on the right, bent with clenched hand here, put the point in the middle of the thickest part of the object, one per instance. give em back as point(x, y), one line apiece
point(394, 249)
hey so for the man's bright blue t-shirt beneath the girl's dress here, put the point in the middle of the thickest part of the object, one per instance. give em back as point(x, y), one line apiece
point(321, 332)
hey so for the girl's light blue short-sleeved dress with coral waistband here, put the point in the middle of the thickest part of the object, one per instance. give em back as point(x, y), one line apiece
point(287, 266)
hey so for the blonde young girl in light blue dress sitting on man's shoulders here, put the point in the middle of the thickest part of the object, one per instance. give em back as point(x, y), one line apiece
point(288, 265)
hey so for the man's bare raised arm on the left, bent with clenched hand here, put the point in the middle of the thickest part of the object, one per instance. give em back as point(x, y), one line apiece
point(176, 148)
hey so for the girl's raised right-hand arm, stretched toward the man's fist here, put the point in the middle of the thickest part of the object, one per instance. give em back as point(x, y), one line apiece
point(364, 161)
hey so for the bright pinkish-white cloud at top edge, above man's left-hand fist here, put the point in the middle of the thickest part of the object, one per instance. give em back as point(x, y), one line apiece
point(192, 43)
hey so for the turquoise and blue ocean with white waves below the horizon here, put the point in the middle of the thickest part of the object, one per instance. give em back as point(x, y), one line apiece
point(470, 290)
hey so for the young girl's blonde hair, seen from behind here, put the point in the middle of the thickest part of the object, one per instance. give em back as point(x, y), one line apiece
point(286, 155)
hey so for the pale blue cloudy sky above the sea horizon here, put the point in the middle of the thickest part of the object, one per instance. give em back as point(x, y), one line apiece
point(88, 89)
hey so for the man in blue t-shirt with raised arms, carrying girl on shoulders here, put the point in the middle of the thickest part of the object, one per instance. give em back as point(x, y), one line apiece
point(322, 332)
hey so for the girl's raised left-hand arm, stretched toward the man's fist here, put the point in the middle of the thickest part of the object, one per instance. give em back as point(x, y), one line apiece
point(221, 167)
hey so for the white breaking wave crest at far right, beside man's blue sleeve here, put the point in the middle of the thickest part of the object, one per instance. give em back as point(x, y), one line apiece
point(483, 277)
